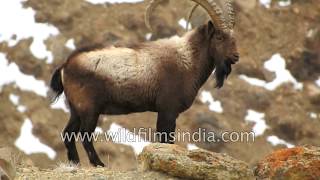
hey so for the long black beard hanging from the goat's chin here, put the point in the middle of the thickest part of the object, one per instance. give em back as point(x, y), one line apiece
point(222, 71)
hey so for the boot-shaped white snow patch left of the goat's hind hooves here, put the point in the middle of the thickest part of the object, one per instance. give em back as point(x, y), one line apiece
point(30, 144)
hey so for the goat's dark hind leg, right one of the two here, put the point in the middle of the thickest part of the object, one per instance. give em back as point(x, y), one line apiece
point(88, 125)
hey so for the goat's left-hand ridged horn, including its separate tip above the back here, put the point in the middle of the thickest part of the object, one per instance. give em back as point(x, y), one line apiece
point(210, 6)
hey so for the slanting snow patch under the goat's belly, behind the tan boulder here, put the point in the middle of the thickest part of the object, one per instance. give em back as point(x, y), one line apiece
point(121, 135)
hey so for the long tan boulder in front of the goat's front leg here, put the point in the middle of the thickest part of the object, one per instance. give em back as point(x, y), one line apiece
point(195, 164)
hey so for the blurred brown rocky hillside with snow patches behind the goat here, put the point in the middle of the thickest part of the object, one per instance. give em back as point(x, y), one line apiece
point(274, 91)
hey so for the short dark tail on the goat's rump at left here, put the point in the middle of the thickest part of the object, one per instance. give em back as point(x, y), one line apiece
point(56, 85)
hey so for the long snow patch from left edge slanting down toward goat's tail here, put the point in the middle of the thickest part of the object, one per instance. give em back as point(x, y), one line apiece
point(23, 81)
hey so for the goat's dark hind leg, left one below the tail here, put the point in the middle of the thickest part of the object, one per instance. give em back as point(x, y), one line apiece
point(69, 133)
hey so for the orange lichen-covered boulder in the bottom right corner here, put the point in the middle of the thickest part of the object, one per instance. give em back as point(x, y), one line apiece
point(291, 164)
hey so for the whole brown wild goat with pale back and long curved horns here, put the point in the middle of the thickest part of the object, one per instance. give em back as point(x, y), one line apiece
point(163, 76)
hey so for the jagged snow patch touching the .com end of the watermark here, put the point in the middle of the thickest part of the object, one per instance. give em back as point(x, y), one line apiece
point(260, 125)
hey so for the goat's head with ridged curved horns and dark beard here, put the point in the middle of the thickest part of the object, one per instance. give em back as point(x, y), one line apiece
point(222, 48)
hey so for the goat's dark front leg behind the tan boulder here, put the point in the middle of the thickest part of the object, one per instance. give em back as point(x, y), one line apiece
point(166, 125)
